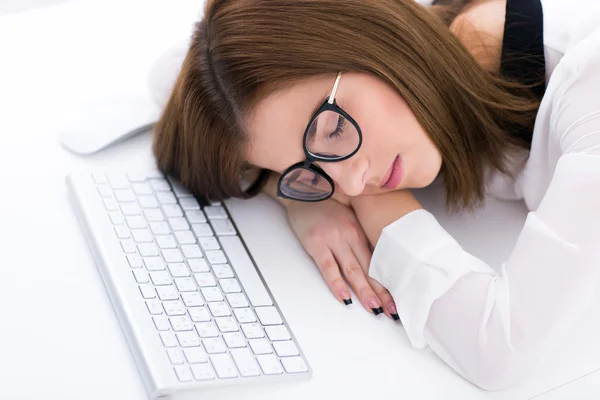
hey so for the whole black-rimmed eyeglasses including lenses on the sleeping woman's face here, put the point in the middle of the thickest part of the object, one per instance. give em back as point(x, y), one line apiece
point(331, 136)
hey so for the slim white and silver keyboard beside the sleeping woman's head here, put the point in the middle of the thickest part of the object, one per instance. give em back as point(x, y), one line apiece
point(191, 302)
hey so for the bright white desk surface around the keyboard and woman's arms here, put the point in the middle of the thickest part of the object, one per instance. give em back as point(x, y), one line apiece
point(60, 338)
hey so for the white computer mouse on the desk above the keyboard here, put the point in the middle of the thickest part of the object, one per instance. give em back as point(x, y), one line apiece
point(106, 120)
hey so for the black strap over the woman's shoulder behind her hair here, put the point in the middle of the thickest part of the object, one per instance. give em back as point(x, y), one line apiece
point(523, 56)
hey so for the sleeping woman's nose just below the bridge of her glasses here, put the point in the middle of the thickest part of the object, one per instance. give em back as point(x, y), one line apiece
point(348, 174)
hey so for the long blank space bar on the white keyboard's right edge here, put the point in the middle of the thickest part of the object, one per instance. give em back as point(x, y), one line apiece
point(245, 271)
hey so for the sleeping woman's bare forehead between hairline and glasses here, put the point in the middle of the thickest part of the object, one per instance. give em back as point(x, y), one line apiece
point(277, 123)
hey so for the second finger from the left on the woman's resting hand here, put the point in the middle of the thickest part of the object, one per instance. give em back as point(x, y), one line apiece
point(355, 275)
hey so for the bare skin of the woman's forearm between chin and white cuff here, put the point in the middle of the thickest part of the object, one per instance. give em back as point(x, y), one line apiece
point(376, 212)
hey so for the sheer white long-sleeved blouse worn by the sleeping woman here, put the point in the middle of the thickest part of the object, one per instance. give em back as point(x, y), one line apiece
point(491, 328)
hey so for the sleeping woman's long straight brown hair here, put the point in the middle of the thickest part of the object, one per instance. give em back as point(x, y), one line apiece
point(244, 50)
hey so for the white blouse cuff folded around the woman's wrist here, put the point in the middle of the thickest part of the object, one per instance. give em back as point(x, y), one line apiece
point(417, 260)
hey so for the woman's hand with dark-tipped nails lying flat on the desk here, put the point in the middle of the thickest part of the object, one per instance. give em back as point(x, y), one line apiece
point(332, 235)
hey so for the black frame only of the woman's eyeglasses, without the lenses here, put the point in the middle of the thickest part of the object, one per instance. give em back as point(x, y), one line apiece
point(328, 105)
